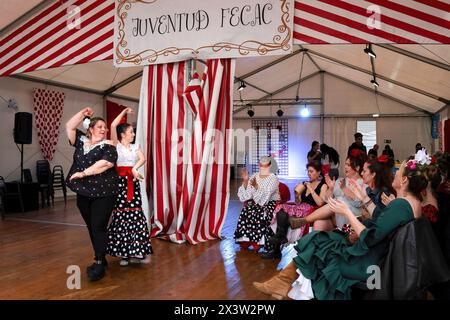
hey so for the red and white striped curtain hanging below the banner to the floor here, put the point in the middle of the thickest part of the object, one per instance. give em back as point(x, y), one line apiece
point(186, 136)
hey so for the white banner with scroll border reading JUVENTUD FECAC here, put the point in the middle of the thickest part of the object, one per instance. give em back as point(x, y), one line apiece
point(156, 31)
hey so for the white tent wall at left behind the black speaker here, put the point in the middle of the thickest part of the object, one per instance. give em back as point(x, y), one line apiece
point(22, 92)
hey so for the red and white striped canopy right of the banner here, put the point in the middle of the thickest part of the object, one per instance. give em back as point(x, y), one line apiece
point(355, 21)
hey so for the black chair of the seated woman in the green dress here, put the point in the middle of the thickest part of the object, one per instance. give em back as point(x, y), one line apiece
point(412, 265)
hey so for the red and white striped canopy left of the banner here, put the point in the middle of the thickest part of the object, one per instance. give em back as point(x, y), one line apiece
point(53, 38)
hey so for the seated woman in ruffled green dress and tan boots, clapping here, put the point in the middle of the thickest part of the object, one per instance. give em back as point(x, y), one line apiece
point(328, 264)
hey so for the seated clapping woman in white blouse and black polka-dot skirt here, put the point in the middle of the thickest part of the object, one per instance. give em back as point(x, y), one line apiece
point(260, 193)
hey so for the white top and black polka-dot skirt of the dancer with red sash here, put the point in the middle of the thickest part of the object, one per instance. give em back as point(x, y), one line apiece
point(128, 233)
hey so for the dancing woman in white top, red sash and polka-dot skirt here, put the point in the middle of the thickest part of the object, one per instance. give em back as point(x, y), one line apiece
point(128, 233)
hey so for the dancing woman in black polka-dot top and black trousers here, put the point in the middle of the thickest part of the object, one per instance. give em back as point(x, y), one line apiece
point(93, 178)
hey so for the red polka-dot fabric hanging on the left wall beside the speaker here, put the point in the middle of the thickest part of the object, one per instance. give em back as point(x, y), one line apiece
point(48, 110)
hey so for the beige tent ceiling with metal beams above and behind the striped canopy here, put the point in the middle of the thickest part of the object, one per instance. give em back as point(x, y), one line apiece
point(431, 81)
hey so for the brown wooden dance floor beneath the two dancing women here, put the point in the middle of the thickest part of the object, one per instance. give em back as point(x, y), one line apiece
point(36, 248)
